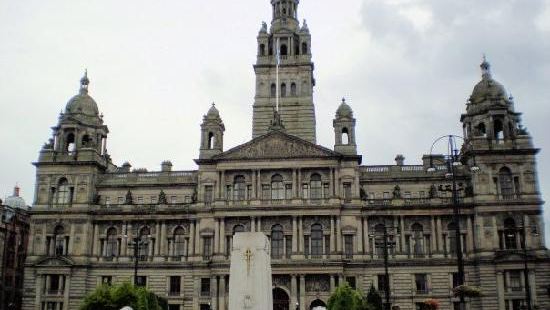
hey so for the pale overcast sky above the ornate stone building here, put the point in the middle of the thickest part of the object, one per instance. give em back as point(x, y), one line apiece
point(406, 67)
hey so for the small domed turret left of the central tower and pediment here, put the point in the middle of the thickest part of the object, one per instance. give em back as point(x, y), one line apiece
point(212, 129)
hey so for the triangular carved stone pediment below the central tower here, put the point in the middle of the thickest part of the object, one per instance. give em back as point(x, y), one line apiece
point(276, 145)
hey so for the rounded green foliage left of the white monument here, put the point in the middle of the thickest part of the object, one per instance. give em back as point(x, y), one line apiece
point(107, 297)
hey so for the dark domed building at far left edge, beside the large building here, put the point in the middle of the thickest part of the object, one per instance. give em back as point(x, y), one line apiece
point(14, 233)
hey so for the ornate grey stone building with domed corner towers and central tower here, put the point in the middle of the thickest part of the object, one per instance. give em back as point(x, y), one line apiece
point(330, 218)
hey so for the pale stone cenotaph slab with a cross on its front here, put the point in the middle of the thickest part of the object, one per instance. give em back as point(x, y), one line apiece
point(250, 285)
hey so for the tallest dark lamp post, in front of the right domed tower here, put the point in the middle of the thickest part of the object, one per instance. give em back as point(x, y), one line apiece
point(453, 160)
